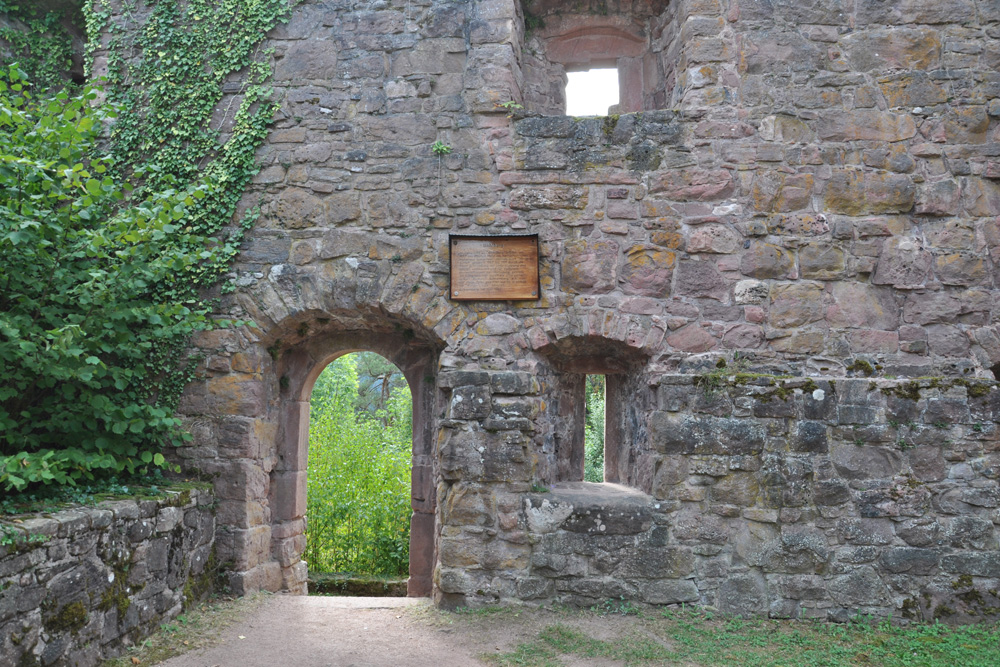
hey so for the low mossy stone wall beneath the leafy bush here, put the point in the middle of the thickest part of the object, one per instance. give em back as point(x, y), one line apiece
point(80, 585)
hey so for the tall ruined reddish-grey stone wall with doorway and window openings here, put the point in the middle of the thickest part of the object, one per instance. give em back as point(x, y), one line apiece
point(784, 257)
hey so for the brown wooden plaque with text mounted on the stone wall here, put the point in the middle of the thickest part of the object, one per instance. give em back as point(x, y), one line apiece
point(494, 268)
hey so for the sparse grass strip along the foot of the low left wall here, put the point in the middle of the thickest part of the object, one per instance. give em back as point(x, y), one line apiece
point(197, 628)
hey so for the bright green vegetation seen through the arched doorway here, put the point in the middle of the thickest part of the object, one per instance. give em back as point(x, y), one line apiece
point(360, 443)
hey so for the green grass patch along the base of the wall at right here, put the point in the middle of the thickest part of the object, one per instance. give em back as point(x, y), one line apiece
point(690, 637)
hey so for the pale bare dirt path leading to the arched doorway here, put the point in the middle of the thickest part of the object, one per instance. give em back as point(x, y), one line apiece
point(380, 632)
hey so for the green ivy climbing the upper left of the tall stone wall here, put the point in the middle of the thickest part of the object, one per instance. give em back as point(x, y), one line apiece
point(167, 78)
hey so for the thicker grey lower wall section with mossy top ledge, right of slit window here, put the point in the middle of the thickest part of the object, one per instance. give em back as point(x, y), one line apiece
point(792, 498)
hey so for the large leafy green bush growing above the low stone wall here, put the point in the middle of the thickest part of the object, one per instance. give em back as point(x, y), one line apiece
point(90, 320)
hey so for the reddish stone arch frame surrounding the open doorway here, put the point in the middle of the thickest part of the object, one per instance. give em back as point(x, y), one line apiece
point(299, 368)
